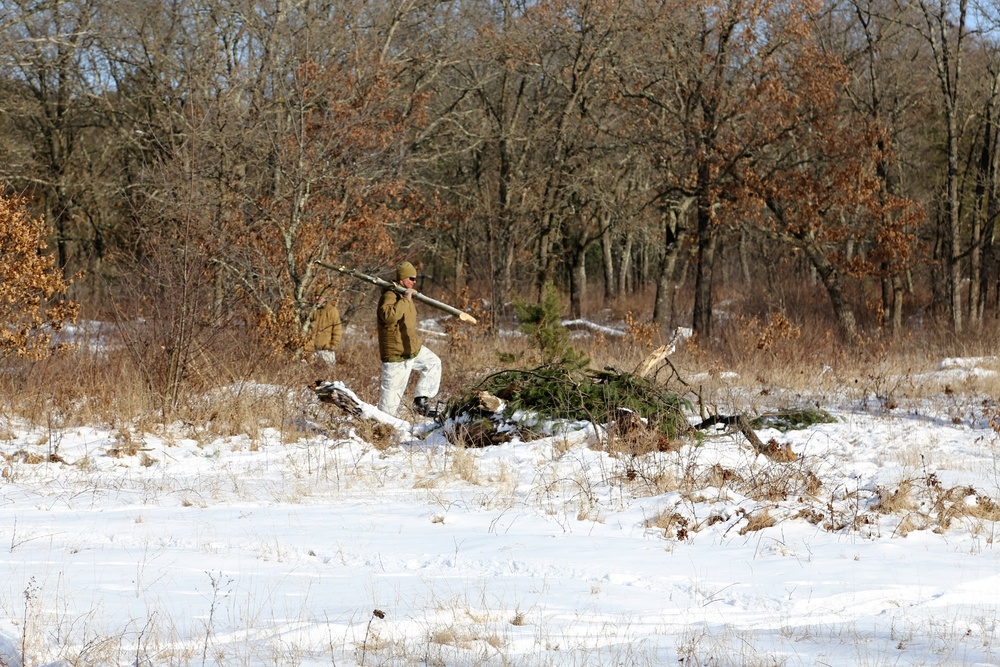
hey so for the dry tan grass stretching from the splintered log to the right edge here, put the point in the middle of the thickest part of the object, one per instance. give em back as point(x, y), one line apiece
point(773, 359)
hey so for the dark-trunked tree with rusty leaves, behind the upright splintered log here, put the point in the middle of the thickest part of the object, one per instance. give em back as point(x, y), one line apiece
point(702, 77)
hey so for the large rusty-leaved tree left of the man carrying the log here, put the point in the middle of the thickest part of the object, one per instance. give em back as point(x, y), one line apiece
point(287, 127)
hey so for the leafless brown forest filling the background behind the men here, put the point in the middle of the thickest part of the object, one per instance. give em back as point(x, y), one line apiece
point(194, 160)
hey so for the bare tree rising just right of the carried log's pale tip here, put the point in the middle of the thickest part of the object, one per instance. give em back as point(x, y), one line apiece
point(483, 151)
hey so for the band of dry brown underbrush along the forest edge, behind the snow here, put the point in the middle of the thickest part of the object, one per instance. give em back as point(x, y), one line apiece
point(753, 364)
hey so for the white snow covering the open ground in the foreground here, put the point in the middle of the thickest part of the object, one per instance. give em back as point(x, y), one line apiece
point(250, 550)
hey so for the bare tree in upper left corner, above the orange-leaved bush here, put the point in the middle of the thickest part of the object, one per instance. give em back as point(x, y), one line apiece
point(54, 146)
